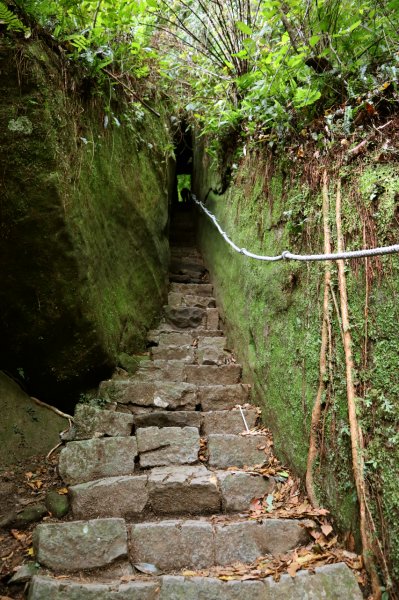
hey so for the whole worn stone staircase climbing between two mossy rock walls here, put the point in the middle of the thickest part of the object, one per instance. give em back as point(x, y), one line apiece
point(152, 488)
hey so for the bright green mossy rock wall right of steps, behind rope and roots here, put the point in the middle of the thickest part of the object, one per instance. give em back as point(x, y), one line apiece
point(273, 315)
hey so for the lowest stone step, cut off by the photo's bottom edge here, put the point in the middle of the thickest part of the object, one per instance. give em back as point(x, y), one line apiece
point(330, 582)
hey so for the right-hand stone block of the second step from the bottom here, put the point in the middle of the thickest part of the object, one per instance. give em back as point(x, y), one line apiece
point(245, 541)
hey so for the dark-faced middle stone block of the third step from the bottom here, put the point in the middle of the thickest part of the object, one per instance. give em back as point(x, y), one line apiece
point(183, 490)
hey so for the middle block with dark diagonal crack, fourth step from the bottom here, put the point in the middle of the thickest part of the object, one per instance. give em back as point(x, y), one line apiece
point(168, 446)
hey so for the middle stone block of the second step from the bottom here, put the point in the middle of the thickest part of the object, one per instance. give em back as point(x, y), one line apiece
point(173, 545)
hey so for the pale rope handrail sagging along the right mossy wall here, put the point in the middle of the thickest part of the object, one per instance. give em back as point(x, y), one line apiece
point(287, 255)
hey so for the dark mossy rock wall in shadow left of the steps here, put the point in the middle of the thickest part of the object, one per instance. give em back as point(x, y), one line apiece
point(85, 186)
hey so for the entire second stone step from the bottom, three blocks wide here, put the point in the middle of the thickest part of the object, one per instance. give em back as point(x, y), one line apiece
point(80, 545)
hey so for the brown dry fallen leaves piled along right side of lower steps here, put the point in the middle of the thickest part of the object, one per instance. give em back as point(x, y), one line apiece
point(287, 501)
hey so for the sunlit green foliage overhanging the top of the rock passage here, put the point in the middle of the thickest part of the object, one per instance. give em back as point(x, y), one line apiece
point(259, 65)
